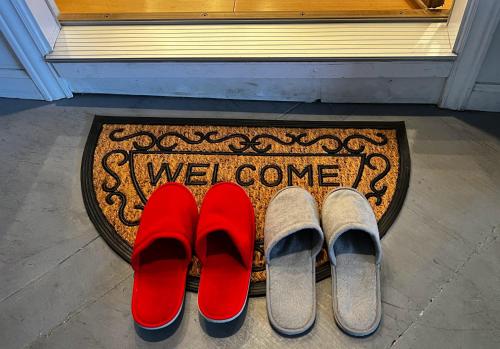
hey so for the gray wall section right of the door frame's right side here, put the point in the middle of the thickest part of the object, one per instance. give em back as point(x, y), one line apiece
point(486, 92)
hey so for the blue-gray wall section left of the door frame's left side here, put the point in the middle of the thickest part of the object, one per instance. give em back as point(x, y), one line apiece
point(14, 81)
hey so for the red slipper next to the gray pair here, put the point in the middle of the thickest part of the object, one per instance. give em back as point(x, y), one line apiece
point(224, 244)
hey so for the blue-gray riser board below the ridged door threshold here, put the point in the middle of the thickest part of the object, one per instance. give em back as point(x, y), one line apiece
point(340, 82)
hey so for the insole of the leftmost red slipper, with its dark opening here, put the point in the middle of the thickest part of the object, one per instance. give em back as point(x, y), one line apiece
point(160, 282)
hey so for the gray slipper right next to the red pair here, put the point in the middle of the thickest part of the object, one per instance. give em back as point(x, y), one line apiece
point(292, 239)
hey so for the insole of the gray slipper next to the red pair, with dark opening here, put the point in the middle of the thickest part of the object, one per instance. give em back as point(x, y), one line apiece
point(291, 281)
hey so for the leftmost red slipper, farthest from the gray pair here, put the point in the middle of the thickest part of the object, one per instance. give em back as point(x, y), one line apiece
point(161, 256)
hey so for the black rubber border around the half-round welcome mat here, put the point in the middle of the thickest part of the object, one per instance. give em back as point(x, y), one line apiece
point(124, 250)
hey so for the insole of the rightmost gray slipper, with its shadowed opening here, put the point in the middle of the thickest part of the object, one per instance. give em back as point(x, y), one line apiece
point(356, 281)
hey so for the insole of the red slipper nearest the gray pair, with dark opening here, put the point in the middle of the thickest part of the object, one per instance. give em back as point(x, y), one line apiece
point(224, 280)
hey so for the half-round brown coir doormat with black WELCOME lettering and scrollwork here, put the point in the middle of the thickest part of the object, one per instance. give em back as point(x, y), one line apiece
point(125, 159)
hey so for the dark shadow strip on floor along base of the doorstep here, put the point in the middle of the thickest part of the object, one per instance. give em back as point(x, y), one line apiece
point(485, 121)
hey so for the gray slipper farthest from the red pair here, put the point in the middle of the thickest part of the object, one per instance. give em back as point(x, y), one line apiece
point(355, 253)
